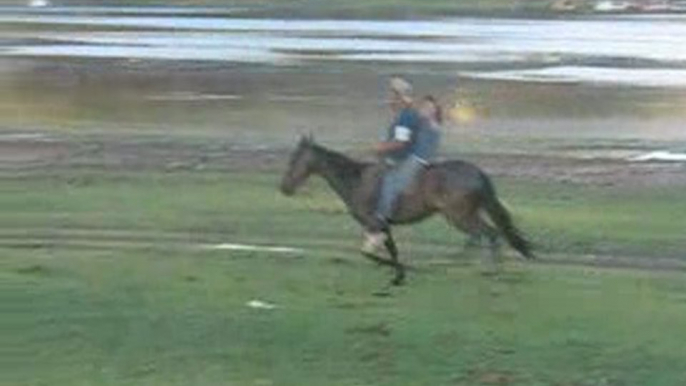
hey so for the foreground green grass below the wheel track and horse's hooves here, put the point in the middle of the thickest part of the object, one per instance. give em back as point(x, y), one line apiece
point(150, 318)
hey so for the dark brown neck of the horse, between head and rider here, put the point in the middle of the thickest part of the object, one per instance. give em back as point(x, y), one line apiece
point(341, 173)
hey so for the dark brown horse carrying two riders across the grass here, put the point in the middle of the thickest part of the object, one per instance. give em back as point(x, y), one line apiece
point(458, 190)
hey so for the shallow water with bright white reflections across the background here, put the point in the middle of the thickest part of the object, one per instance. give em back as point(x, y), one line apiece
point(583, 47)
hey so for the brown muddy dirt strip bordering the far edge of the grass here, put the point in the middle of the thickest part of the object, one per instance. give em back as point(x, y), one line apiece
point(34, 153)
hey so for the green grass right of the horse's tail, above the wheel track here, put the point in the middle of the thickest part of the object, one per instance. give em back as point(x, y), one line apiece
point(594, 219)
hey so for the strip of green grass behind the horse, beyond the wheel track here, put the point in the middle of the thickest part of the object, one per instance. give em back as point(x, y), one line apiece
point(560, 218)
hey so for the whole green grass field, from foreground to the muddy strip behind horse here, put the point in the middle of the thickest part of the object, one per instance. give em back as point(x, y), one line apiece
point(106, 283)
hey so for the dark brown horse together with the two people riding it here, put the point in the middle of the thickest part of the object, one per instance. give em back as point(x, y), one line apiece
point(458, 190)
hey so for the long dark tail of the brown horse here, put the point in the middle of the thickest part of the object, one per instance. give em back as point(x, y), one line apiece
point(503, 221)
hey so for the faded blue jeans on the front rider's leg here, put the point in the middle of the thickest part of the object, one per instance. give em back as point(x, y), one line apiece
point(394, 183)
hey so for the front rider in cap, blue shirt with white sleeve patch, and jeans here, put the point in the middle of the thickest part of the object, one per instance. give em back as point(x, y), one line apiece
point(397, 152)
